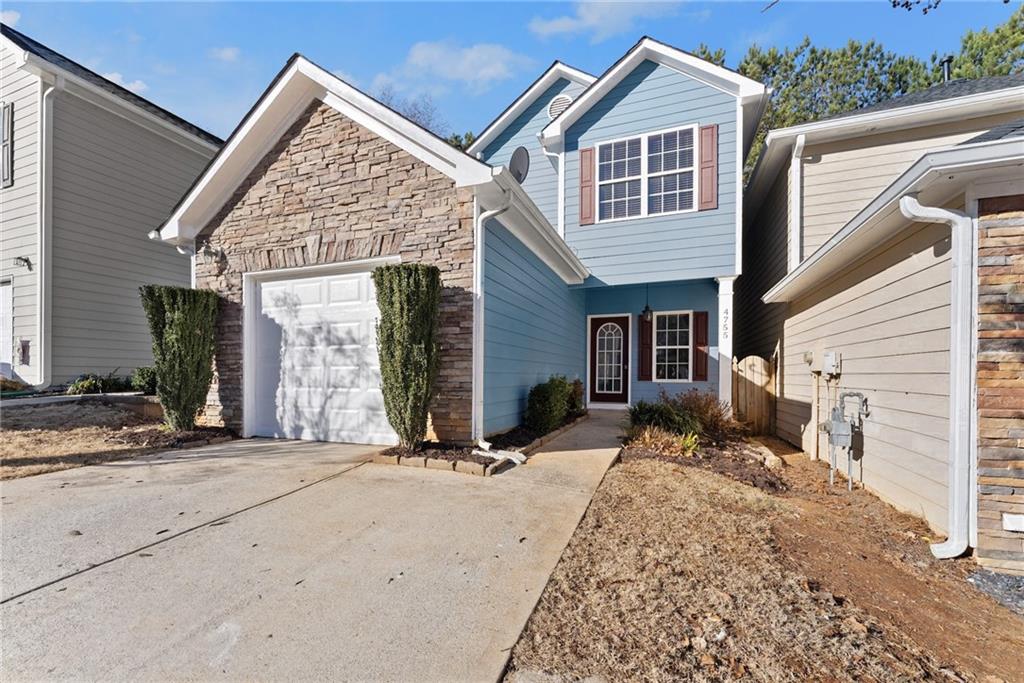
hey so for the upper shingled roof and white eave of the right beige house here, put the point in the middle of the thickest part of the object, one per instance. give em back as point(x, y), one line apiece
point(951, 102)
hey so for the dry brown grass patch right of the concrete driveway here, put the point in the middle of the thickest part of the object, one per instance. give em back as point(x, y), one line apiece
point(677, 574)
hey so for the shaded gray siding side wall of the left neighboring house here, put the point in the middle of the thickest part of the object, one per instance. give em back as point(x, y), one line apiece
point(113, 183)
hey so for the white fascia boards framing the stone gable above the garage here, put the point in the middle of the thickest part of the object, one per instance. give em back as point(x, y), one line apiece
point(291, 95)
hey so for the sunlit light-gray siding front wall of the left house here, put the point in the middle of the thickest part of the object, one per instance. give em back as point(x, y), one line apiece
point(20, 210)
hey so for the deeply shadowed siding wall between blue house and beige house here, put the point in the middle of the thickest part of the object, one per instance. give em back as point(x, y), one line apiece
point(766, 239)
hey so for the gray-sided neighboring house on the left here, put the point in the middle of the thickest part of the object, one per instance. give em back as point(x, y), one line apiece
point(90, 168)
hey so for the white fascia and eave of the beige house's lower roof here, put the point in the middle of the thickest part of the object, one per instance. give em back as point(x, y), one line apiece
point(948, 170)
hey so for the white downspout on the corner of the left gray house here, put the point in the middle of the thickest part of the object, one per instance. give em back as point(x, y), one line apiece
point(45, 180)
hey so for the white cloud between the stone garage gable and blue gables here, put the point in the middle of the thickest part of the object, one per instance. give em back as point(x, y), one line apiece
point(431, 67)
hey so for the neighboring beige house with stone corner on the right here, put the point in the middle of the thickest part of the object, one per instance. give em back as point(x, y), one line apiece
point(862, 235)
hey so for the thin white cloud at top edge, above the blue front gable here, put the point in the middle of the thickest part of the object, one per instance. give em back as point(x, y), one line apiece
point(602, 20)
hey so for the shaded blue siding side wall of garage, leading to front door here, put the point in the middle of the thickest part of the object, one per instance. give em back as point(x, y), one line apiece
point(534, 328)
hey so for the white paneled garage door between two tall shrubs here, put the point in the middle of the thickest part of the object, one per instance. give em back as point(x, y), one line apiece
point(316, 368)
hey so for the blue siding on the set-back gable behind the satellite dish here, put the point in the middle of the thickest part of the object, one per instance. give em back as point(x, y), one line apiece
point(542, 182)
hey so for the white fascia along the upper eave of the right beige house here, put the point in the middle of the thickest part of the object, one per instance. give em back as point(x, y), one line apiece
point(779, 142)
